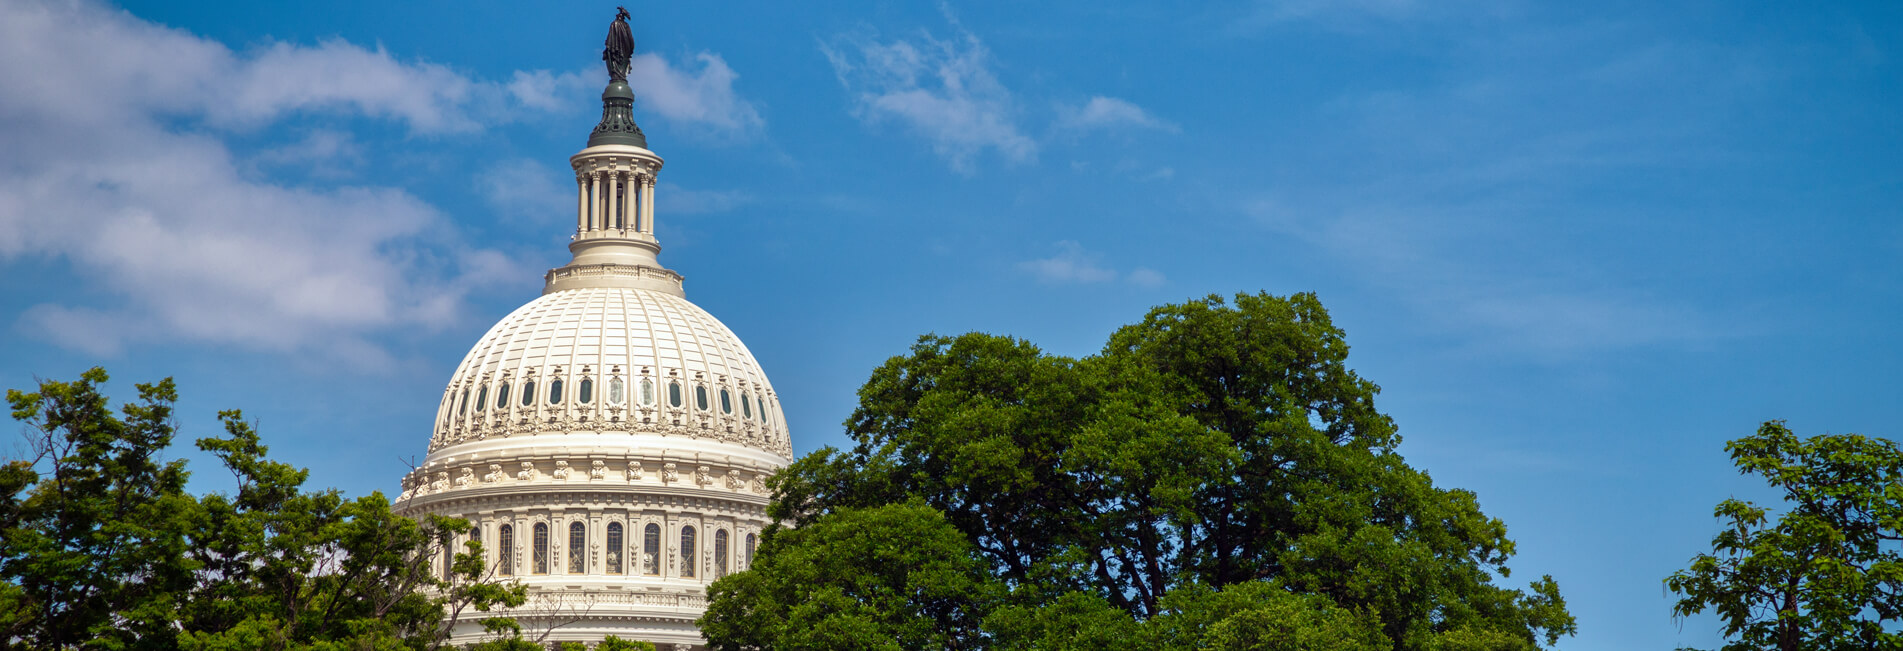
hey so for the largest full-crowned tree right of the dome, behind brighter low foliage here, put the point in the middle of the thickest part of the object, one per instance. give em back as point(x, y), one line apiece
point(1206, 448)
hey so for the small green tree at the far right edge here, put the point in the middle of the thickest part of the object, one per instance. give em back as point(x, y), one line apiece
point(1828, 572)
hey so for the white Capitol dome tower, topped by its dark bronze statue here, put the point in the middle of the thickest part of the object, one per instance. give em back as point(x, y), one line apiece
point(610, 441)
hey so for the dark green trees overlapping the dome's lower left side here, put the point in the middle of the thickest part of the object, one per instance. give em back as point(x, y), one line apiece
point(104, 549)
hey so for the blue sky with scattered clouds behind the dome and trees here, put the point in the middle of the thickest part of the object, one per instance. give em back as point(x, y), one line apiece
point(1580, 247)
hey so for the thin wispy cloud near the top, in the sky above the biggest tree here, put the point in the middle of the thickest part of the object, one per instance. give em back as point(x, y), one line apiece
point(943, 90)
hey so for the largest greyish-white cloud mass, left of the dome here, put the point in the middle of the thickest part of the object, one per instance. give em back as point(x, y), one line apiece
point(167, 224)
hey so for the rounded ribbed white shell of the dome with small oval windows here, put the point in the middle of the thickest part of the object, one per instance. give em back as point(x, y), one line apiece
point(618, 368)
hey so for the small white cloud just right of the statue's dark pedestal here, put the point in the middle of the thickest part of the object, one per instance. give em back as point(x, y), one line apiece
point(705, 98)
